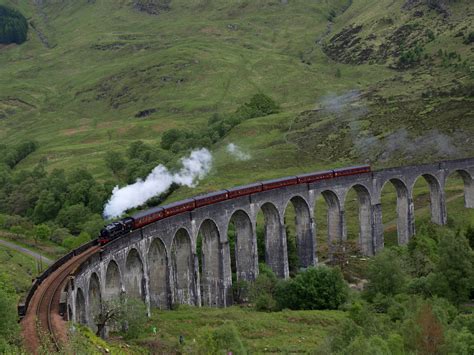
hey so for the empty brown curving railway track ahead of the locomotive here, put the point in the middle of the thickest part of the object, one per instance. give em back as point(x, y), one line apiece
point(42, 317)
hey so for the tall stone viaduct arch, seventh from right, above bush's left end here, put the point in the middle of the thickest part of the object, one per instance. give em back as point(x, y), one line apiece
point(275, 241)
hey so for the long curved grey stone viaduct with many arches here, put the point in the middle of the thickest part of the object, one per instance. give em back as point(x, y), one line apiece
point(159, 264)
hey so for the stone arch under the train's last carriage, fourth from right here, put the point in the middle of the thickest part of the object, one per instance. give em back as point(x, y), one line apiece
point(365, 241)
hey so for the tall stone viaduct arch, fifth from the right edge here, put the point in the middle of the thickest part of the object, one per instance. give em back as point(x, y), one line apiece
point(335, 220)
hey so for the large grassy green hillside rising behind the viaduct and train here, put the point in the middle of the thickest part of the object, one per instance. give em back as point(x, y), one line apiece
point(385, 82)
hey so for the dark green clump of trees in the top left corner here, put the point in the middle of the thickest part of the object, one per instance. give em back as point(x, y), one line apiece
point(13, 26)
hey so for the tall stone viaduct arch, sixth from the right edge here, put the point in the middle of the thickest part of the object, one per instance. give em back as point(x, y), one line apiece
point(305, 241)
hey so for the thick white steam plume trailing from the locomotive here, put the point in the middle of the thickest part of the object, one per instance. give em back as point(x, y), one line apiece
point(195, 167)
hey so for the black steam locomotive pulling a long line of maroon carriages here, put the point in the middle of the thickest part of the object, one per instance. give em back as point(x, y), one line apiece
point(125, 225)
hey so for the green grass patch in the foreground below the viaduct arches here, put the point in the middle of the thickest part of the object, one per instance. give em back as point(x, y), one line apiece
point(286, 331)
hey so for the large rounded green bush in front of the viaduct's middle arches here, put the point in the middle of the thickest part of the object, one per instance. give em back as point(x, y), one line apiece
point(315, 288)
